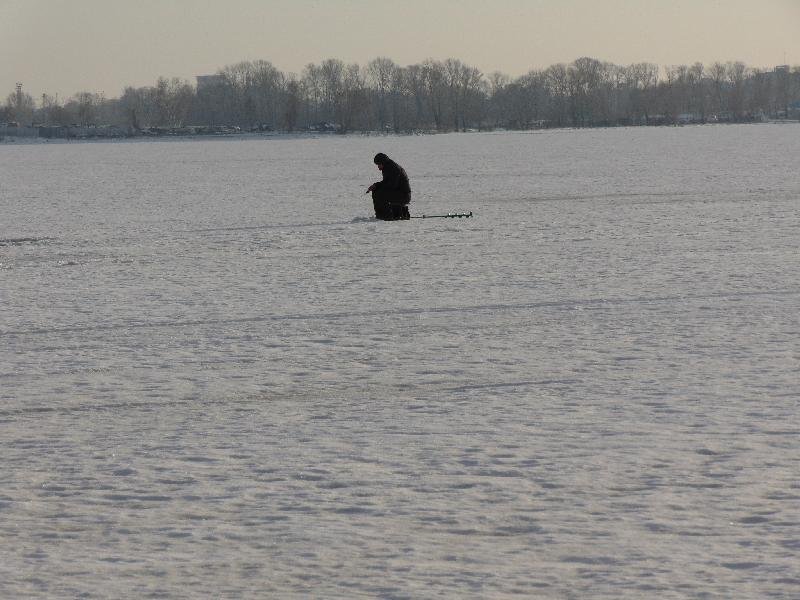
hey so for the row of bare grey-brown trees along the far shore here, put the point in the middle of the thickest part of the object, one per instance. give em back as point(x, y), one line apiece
point(434, 95)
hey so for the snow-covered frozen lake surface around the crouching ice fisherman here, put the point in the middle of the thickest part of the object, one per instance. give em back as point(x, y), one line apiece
point(219, 377)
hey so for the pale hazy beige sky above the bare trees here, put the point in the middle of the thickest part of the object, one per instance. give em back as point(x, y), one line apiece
point(67, 46)
